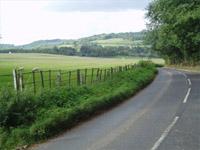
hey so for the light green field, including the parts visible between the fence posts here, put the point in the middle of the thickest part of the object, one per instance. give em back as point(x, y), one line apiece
point(55, 62)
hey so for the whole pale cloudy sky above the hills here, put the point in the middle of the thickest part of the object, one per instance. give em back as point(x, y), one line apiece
point(25, 21)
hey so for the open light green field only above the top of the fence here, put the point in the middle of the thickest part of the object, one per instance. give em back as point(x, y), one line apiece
point(47, 61)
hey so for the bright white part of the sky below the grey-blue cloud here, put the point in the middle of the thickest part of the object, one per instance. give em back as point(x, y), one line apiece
point(26, 21)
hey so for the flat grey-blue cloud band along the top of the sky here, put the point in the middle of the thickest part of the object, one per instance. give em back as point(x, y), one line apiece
point(97, 5)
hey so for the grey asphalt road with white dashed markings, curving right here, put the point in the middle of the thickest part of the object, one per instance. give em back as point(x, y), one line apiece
point(164, 116)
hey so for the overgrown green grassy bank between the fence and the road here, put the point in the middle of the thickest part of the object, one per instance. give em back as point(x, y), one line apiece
point(26, 118)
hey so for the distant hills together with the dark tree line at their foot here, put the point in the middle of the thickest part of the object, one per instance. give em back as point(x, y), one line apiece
point(102, 45)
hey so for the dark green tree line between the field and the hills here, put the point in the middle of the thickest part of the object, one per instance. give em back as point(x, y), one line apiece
point(90, 50)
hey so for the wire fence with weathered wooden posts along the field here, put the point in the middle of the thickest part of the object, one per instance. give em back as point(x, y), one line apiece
point(38, 79)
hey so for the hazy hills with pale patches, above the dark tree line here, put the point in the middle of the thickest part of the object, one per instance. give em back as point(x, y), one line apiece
point(114, 39)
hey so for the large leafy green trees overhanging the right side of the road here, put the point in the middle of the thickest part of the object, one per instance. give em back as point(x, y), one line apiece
point(174, 30)
